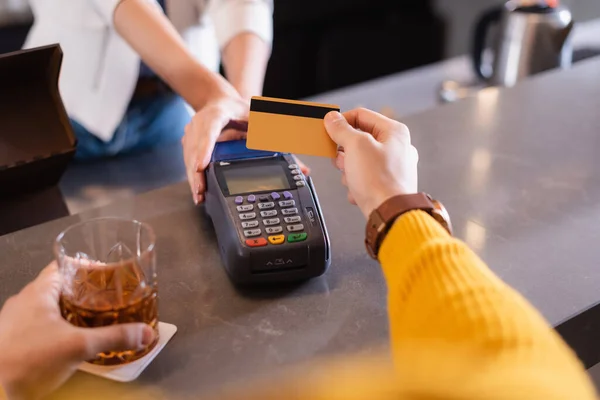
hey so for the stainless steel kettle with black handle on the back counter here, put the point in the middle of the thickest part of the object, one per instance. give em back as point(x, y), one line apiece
point(534, 36)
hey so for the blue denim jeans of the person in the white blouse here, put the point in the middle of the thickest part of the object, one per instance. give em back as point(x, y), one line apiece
point(148, 123)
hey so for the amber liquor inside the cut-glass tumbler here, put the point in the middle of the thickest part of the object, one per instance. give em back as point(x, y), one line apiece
point(108, 297)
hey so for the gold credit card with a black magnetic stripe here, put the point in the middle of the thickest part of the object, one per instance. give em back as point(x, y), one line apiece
point(290, 126)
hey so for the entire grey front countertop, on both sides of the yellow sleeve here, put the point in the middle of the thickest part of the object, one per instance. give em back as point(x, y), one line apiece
point(517, 169)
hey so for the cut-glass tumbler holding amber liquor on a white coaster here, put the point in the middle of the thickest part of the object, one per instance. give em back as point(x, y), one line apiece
point(108, 271)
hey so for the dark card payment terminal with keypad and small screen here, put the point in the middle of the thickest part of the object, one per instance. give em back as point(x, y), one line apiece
point(266, 215)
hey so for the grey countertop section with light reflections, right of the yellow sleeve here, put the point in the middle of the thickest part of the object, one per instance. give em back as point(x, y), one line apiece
point(518, 170)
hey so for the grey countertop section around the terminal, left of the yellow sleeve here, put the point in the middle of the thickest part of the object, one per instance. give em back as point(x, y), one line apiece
point(225, 335)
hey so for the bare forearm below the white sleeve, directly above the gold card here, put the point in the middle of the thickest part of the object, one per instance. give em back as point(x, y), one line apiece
point(245, 60)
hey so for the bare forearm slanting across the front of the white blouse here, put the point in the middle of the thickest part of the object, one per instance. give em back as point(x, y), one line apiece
point(147, 30)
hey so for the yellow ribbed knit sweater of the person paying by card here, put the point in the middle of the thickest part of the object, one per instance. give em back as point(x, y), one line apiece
point(457, 333)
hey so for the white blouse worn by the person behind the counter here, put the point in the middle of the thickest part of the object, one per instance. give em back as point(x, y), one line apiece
point(100, 70)
